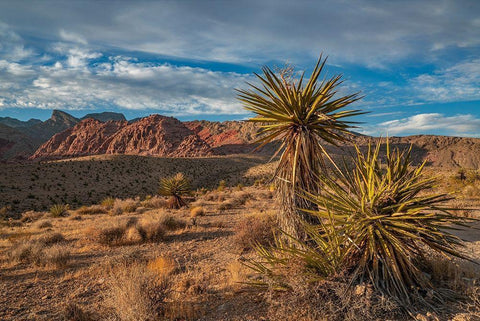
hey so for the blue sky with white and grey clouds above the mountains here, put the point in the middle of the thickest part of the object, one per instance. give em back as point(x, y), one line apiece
point(416, 62)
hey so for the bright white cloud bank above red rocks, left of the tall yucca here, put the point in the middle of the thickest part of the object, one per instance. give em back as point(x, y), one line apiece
point(75, 83)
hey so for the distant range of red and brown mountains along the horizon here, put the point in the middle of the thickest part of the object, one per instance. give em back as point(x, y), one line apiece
point(64, 136)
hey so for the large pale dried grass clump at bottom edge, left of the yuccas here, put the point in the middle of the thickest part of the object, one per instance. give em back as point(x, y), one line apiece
point(134, 293)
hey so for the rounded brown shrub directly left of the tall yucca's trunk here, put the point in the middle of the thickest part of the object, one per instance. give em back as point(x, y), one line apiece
point(256, 229)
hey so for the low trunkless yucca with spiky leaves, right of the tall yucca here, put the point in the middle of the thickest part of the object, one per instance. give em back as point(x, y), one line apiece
point(389, 220)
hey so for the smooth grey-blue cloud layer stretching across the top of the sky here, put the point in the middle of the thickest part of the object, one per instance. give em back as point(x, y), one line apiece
point(365, 31)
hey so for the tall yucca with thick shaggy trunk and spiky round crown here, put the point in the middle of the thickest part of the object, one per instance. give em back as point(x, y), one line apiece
point(302, 115)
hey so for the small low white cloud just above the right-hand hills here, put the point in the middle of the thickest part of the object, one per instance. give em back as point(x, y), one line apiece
point(431, 123)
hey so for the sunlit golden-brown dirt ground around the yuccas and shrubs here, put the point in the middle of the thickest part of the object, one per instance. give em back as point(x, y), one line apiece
point(206, 278)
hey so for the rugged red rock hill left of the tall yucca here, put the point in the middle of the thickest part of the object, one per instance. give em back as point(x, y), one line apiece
point(154, 135)
